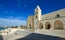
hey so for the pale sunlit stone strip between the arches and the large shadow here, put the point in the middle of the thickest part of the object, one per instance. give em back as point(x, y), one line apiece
point(59, 33)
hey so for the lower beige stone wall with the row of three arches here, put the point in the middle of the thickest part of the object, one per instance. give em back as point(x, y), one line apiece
point(51, 22)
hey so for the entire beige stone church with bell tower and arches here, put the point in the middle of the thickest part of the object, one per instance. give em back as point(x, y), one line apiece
point(50, 21)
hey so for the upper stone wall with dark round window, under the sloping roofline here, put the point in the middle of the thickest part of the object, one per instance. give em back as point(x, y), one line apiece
point(58, 13)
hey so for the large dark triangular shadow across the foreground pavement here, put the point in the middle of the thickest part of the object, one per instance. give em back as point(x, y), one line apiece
point(35, 36)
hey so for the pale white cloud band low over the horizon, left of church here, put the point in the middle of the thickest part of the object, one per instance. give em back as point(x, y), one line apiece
point(10, 22)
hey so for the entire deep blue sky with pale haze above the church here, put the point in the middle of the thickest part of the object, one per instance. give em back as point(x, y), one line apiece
point(15, 12)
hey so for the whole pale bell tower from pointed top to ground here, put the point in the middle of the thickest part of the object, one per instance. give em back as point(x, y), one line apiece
point(37, 17)
